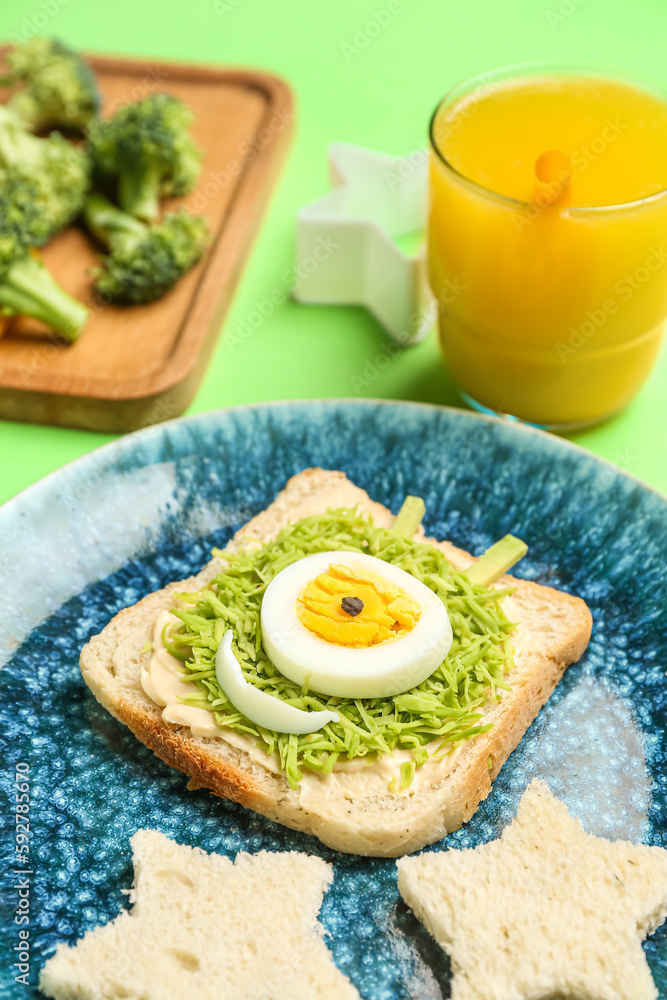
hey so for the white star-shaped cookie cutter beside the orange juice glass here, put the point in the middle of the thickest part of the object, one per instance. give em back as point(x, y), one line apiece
point(347, 249)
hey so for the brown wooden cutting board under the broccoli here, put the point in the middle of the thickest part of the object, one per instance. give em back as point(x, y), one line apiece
point(135, 366)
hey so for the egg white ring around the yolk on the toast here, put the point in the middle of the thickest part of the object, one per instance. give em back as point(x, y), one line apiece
point(344, 671)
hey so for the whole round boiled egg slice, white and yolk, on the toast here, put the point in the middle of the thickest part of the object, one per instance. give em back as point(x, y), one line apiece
point(353, 626)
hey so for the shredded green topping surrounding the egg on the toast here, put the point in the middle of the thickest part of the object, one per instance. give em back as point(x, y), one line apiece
point(446, 706)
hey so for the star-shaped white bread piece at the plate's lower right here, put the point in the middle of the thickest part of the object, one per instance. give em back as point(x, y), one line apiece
point(546, 910)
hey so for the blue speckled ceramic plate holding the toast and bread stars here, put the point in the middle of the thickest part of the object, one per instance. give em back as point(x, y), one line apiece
point(123, 521)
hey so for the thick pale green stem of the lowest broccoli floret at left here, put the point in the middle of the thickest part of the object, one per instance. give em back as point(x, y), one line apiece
point(28, 289)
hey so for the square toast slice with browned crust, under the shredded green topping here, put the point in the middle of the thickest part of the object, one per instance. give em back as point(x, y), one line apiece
point(350, 813)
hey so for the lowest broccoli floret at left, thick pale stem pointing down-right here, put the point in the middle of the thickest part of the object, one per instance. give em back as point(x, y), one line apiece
point(26, 287)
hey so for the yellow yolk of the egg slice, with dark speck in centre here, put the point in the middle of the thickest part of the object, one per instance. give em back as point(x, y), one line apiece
point(387, 612)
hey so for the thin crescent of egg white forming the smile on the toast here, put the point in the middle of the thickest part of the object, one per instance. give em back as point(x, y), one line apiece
point(259, 706)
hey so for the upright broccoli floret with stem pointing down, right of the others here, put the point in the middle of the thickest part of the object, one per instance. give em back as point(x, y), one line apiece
point(147, 150)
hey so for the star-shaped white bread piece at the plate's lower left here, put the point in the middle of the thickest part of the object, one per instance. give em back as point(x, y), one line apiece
point(206, 927)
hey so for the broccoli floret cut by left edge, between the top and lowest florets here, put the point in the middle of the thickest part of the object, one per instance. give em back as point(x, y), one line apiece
point(55, 174)
